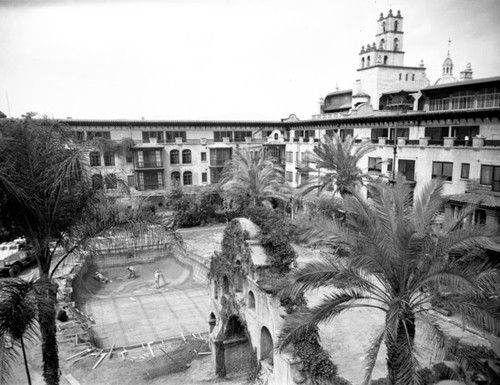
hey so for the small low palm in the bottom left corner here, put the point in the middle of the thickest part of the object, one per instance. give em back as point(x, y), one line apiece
point(18, 314)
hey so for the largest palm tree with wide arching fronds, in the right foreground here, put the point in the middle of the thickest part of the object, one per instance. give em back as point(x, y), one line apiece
point(394, 253)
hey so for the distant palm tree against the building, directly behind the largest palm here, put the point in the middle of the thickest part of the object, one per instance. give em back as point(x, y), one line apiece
point(340, 158)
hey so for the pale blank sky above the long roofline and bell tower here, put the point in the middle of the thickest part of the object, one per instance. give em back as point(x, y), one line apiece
point(217, 59)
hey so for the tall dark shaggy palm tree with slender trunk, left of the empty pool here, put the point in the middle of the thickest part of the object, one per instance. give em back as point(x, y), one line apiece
point(46, 193)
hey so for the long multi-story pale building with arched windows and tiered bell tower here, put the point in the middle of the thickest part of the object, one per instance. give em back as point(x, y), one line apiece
point(449, 130)
